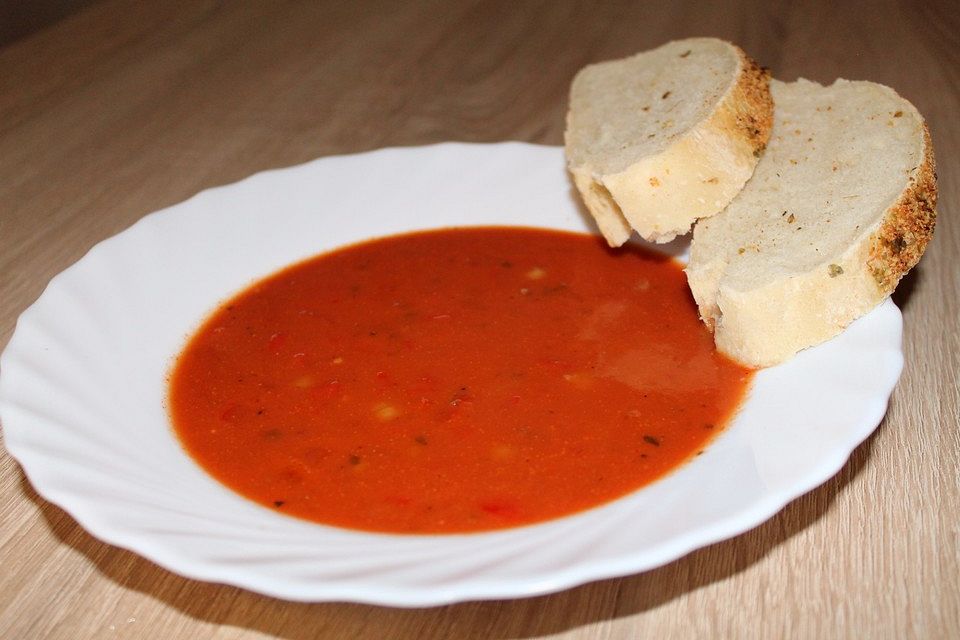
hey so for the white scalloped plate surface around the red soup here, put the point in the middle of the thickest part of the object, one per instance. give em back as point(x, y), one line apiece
point(82, 387)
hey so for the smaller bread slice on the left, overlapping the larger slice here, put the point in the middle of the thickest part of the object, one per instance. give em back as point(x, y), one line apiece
point(657, 140)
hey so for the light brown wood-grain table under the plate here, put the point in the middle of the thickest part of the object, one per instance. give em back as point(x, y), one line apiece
point(129, 106)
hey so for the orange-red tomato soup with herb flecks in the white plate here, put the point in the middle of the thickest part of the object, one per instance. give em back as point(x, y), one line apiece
point(453, 381)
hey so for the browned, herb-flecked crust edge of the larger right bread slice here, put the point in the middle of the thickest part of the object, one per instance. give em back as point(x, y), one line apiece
point(903, 235)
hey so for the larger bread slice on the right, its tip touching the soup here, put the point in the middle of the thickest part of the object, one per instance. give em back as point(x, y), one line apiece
point(840, 207)
